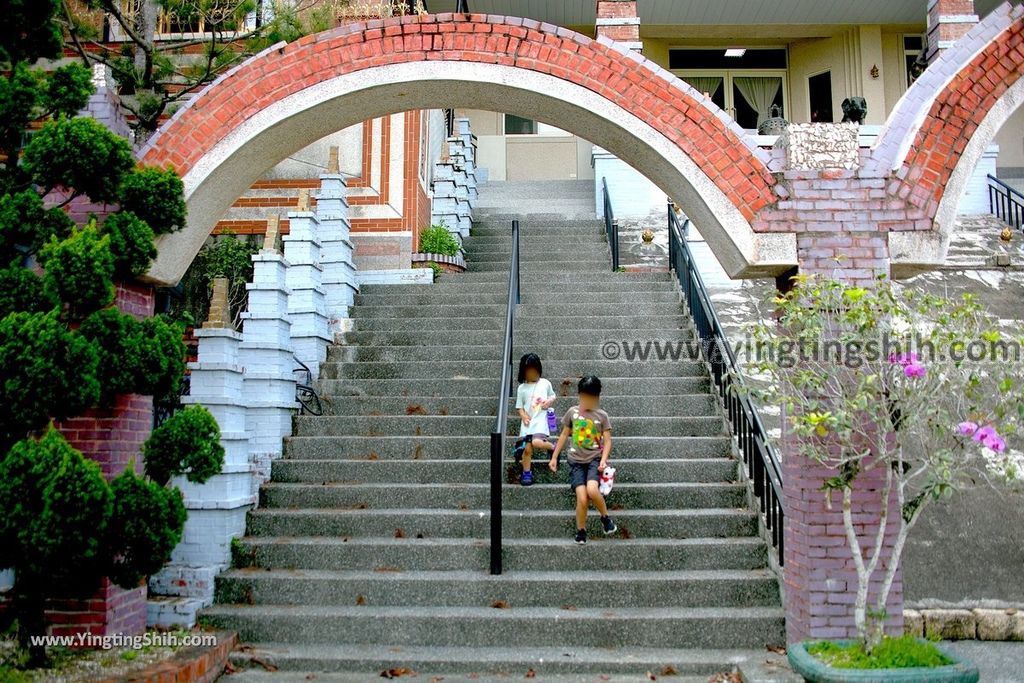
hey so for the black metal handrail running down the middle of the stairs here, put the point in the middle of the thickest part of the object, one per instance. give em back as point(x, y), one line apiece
point(498, 437)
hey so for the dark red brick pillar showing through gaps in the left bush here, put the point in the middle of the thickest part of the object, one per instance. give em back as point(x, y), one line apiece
point(113, 437)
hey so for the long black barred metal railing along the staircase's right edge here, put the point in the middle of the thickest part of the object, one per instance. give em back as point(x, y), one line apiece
point(760, 458)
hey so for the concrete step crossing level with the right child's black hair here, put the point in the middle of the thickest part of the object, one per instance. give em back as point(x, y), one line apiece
point(462, 387)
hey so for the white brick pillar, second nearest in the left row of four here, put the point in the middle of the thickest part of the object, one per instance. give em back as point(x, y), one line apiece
point(268, 357)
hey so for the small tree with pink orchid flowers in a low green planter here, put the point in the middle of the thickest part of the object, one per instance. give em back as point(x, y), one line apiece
point(921, 393)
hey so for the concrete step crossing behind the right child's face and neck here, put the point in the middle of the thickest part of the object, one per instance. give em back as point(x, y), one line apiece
point(696, 404)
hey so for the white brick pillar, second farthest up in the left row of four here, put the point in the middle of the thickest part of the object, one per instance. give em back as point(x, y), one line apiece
point(307, 304)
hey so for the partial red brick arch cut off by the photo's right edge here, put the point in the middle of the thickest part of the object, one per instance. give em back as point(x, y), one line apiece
point(962, 122)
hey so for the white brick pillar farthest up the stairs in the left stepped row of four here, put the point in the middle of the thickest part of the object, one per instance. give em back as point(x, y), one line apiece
point(339, 275)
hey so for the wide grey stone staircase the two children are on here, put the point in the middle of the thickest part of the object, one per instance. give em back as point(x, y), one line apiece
point(369, 551)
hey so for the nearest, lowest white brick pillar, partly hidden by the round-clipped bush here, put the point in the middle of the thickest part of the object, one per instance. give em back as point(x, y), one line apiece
point(217, 509)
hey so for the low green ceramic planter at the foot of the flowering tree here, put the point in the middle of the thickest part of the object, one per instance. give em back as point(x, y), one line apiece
point(817, 671)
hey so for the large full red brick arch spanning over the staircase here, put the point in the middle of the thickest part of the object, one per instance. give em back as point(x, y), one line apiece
point(638, 89)
